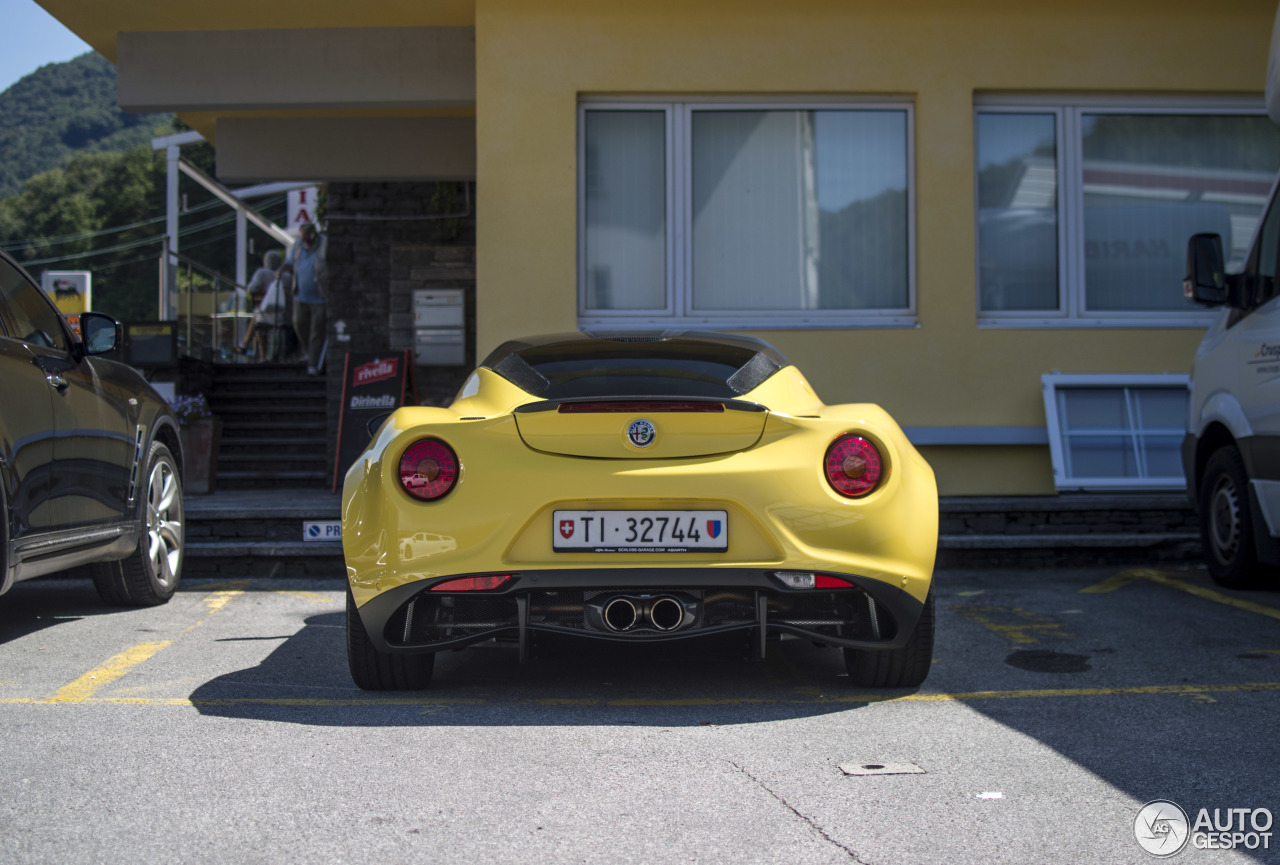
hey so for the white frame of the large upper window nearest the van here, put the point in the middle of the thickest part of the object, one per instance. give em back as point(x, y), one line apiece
point(1068, 113)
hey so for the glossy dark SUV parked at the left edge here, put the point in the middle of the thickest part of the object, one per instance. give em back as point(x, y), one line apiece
point(89, 455)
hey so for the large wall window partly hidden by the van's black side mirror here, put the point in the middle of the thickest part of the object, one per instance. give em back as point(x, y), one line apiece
point(1085, 209)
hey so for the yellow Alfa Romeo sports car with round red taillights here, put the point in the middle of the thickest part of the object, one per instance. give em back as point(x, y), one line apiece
point(639, 487)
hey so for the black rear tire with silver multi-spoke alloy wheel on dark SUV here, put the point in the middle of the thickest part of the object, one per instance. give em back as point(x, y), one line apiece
point(150, 574)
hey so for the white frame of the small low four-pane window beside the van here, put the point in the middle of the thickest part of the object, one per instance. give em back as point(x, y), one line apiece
point(1067, 480)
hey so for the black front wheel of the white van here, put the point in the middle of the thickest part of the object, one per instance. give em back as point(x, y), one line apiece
point(1227, 525)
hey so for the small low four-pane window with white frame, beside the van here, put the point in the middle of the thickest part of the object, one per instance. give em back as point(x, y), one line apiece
point(1117, 432)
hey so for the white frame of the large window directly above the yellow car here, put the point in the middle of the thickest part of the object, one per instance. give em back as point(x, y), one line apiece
point(679, 312)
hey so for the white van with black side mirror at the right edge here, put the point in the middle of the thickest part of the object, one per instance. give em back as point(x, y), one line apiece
point(1232, 451)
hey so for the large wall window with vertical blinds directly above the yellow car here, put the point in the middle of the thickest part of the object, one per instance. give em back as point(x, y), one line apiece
point(746, 216)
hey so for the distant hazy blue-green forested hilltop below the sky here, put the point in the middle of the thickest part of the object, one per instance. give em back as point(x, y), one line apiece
point(62, 109)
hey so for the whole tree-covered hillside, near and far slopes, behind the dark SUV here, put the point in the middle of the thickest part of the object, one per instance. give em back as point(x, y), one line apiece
point(81, 189)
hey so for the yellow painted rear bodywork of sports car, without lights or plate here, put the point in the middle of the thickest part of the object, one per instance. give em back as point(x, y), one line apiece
point(781, 512)
